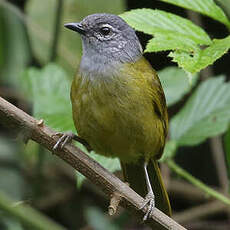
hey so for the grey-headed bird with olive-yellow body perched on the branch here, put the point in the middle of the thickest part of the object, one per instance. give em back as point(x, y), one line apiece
point(118, 105)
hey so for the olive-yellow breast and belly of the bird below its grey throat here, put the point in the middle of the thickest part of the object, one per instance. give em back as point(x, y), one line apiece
point(116, 115)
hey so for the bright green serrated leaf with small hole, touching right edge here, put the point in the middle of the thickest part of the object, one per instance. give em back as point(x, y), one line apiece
point(199, 60)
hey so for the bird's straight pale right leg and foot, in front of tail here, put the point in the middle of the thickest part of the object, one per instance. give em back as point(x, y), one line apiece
point(149, 198)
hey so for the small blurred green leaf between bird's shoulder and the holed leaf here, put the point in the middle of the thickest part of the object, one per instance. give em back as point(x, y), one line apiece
point(175, 83)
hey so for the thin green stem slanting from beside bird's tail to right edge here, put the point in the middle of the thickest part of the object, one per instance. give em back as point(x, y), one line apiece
point(211, 192)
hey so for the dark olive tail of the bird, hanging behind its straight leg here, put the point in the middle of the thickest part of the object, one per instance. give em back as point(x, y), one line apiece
point(134, 175)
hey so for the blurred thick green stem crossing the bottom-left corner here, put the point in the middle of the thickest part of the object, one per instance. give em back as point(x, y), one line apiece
point(27, 215)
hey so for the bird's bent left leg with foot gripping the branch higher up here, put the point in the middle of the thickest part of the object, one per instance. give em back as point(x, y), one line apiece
point(68, 137)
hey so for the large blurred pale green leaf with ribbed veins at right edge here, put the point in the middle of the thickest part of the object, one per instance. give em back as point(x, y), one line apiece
point(206, 114)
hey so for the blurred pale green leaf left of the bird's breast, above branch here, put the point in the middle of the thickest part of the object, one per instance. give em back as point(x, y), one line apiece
point(50, 89)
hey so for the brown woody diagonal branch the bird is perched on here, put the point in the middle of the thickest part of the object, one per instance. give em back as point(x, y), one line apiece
point(108, 182)
